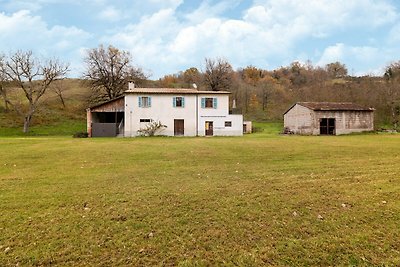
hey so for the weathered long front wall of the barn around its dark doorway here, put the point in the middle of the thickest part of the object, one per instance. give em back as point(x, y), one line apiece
point(347, 121)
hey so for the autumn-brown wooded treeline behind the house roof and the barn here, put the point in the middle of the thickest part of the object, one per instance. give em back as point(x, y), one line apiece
point(267, 94)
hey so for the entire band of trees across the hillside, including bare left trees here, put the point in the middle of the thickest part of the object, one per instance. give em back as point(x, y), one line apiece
point(257, 93)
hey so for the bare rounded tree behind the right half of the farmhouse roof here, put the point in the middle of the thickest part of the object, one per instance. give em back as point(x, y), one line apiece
point(218, 74)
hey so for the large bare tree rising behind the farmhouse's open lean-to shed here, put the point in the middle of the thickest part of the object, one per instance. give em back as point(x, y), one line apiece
point(109, 70)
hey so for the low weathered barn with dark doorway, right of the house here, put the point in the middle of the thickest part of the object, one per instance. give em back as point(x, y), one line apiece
point(327, 118)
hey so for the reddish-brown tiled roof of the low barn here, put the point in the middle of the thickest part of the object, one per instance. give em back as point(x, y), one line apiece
point(332, 106)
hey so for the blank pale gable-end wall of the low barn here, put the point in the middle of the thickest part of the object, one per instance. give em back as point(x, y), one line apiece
point(300, 120)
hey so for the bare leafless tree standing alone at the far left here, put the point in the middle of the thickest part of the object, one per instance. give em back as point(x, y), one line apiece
point(33, 77)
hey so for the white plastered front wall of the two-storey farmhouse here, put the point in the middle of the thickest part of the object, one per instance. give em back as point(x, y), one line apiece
point(192, 113)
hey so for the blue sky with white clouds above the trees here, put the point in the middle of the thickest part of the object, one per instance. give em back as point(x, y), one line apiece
point(168, 36)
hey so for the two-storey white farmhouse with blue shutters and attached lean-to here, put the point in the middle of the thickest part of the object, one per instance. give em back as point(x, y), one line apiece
point(184, 112)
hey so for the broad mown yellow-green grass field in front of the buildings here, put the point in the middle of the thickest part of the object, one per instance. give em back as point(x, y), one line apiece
point(261, 199)
